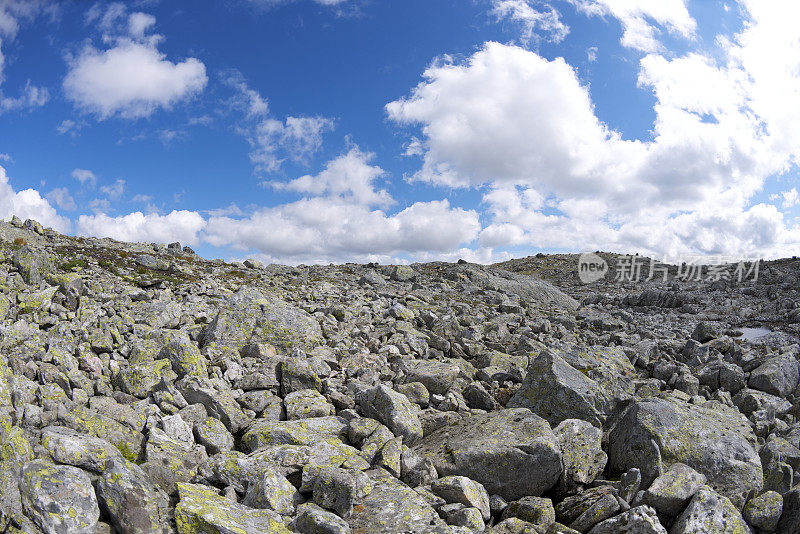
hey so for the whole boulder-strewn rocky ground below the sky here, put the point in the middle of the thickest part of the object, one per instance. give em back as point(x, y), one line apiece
point(144, 389)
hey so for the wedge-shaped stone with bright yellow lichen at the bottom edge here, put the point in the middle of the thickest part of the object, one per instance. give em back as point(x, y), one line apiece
point(201, 510)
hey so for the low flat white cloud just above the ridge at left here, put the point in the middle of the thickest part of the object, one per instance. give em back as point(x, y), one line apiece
point(183, 226)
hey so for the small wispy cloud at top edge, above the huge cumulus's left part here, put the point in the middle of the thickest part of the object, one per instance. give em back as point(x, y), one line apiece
point(532, 16)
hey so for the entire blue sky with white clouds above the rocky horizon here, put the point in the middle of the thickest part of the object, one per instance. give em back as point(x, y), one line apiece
point(362, 130)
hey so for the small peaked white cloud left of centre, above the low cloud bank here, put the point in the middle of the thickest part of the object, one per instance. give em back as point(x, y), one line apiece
point(349, 177)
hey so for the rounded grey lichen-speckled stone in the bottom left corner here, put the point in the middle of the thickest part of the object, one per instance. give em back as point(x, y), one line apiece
point(60, 499)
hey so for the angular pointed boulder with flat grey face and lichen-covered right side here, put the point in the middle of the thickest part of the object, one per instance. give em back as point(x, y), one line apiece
point(579, 384)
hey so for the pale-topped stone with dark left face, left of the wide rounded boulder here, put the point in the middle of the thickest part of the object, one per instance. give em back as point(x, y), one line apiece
point(394, 410)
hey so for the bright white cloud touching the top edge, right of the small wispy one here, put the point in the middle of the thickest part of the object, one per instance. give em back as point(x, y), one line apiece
point(637, 18)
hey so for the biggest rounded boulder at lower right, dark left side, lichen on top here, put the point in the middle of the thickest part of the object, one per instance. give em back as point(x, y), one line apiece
point(715, 440)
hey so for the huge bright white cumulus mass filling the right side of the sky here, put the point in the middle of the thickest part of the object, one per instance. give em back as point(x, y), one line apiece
point(559, 177)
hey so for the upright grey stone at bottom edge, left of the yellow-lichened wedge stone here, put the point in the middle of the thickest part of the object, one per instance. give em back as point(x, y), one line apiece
point(129, 499)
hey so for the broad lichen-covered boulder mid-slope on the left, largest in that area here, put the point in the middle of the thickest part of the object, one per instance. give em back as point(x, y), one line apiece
point(249, 316)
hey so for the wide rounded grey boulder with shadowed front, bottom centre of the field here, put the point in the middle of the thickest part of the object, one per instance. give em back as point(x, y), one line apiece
point(513, 453)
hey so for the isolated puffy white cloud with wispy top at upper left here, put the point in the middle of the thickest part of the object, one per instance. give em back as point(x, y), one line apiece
point(132, 79)
